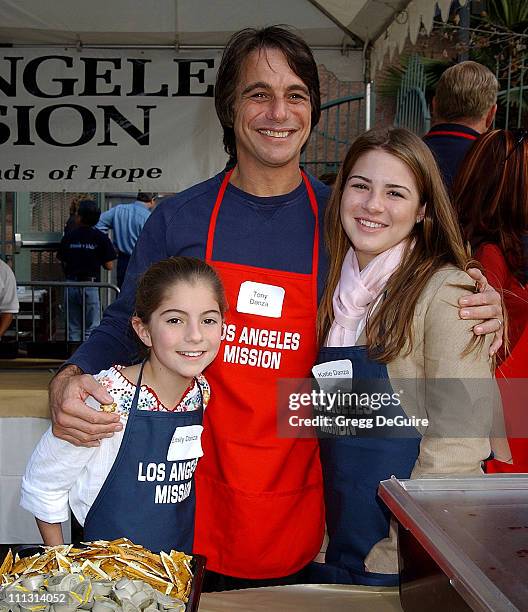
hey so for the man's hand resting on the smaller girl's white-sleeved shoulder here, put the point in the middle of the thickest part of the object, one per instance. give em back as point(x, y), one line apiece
point(73, 421)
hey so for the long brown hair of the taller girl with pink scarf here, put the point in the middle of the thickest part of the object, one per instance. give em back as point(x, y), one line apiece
point(437, 241)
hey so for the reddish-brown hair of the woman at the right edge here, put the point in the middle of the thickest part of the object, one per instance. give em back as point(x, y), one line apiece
point(491, 195)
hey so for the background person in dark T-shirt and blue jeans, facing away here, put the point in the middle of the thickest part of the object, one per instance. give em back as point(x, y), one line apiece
point(82, 252)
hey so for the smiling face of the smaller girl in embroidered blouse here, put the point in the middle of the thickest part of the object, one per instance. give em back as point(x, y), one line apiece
point(184, 332)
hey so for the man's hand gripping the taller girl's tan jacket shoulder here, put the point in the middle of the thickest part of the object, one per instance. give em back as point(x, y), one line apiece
point(487, 305)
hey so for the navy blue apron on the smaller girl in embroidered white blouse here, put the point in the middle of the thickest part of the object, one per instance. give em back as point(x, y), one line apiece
point(145, 497)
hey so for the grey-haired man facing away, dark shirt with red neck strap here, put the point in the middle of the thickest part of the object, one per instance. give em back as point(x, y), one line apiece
point(463, 107)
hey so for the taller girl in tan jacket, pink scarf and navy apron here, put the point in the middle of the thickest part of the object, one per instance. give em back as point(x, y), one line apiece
point(389, 311)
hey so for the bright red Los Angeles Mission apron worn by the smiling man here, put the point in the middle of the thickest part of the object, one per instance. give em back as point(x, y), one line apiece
point(259, 511)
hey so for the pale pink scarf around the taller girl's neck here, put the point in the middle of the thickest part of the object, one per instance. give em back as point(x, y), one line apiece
point(356, 291)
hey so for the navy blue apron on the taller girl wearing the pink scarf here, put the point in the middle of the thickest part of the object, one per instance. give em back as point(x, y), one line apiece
point(353, 466)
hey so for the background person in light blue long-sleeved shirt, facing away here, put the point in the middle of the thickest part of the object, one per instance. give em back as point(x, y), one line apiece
point(126, 222)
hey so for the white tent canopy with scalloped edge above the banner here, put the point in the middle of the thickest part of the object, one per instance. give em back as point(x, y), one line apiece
point(382, 25)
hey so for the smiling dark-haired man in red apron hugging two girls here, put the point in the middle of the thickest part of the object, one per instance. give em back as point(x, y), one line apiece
point(259, 497)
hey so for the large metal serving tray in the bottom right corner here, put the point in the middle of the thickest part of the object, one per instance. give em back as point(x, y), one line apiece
point(475, 530)
